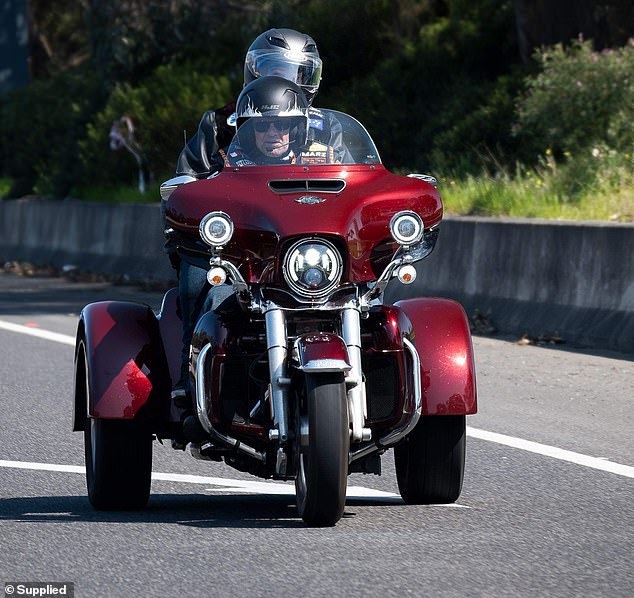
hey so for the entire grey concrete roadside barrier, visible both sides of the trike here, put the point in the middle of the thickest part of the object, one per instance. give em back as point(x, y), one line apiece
point(543, 278)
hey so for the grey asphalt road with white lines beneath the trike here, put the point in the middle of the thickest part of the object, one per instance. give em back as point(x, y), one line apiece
point(547, 507)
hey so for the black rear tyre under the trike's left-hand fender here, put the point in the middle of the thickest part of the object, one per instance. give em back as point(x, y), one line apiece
point(118, 464)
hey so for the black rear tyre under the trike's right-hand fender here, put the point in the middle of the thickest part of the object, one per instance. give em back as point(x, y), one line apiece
point(430, 461)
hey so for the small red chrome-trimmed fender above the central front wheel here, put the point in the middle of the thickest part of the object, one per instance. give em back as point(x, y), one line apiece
point(321, 352)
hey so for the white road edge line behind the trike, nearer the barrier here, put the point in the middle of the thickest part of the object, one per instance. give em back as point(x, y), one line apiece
point(526, 445)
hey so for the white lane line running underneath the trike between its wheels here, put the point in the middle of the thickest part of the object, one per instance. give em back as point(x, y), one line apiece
point(226, 484)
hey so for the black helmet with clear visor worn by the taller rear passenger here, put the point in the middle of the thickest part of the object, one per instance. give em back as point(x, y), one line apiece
point(288, 54)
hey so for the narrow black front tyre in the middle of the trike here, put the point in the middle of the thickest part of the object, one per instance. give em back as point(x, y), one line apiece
point(321, 479)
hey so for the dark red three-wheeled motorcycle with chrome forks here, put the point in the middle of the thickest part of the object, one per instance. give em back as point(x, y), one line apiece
point(312, 376)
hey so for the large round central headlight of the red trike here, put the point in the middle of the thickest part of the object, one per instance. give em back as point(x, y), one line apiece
point(313, 268)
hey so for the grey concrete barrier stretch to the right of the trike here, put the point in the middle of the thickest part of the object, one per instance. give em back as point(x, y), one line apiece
point(559, 280)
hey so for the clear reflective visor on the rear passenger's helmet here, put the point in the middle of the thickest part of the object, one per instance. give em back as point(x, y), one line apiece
point(303, 70)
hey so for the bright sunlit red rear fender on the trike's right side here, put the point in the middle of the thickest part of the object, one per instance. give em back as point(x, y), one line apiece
point(443, 341)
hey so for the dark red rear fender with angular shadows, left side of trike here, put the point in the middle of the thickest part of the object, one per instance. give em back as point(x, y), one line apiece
point(127, 370)
